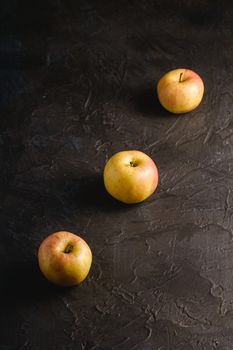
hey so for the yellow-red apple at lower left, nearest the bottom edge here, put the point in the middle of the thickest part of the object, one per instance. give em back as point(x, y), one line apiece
point(64, 268)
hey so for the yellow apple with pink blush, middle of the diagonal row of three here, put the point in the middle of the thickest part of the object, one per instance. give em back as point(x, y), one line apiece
point(130, 176)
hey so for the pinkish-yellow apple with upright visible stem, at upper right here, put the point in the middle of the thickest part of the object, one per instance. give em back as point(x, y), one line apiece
point(180, 90)
